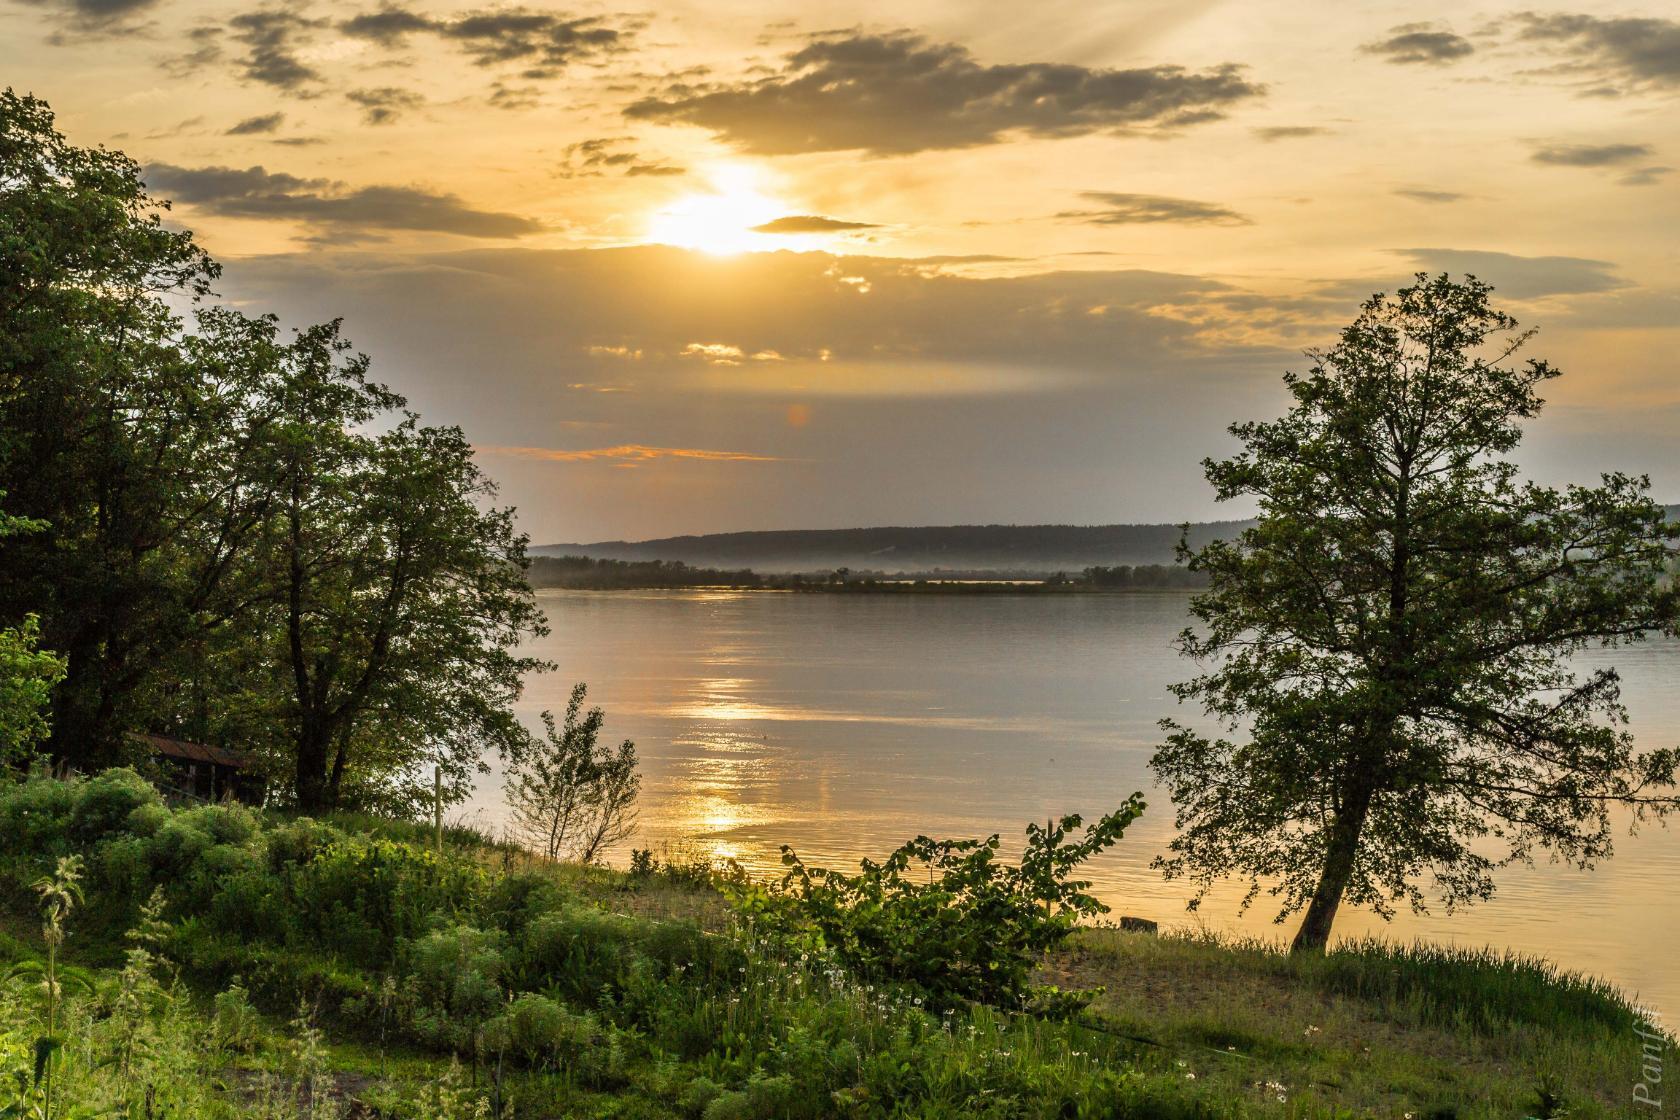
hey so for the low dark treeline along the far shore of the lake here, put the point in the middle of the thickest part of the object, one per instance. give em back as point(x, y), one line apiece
point(584, 573)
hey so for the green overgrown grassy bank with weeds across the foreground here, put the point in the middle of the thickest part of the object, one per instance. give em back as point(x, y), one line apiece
point(224, 963)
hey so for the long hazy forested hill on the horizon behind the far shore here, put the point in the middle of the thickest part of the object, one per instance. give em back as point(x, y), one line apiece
point(1017, 550)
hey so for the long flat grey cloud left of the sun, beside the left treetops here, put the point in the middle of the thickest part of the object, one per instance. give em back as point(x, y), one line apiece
point(347, 214)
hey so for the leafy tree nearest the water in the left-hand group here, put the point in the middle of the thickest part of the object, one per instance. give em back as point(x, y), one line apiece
point(392, 592)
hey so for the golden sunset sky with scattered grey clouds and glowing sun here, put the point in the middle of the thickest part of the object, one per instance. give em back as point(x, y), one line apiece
point(738, 266)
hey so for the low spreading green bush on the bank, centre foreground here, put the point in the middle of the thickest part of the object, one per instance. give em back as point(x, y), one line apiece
point(947, 914)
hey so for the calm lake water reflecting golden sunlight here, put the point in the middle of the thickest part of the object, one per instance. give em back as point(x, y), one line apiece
point(846, 725)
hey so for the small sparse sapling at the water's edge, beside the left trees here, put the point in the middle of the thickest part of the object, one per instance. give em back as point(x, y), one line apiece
point(567, 793)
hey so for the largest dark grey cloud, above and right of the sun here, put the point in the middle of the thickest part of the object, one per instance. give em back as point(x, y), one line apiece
point(896, 95)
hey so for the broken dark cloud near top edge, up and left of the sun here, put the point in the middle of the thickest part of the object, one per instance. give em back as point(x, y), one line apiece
point(543, 41)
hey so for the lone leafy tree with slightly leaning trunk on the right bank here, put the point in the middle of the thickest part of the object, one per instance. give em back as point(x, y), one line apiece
point(1395, 632)
